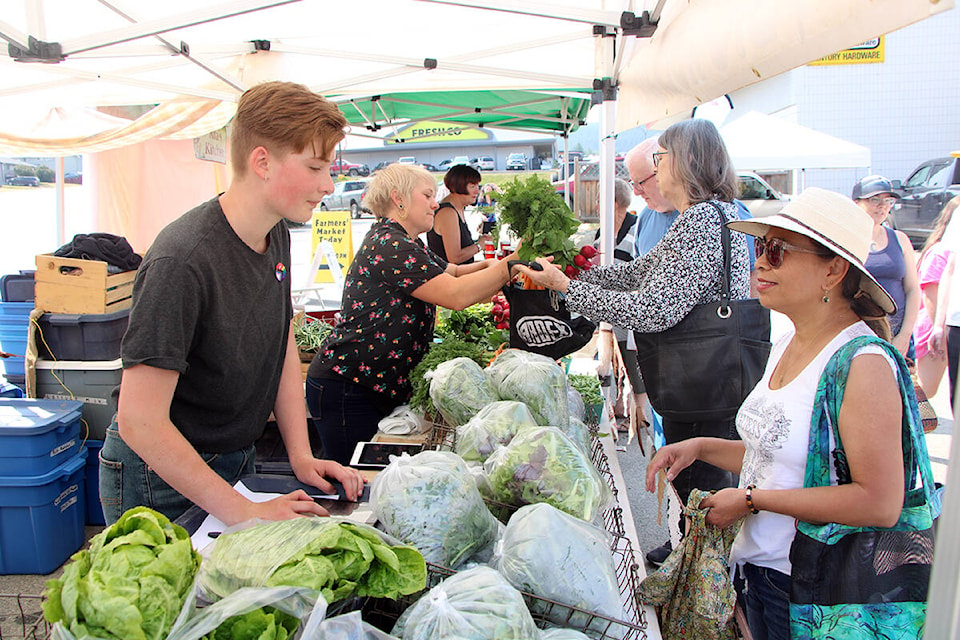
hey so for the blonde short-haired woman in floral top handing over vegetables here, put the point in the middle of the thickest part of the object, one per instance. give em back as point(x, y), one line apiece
point(390, 294)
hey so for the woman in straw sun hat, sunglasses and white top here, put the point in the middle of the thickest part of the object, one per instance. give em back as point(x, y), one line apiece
point(810, 262)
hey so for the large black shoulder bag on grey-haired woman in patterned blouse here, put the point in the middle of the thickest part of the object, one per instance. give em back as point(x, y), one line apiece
point(703, 367)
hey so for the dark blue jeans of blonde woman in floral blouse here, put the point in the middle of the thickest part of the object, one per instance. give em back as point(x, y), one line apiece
point(343, 414)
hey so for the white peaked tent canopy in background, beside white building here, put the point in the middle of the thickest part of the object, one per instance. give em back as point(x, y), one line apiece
point(765, 143)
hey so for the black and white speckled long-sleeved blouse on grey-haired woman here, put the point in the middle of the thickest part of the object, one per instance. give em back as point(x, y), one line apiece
point(657, 290)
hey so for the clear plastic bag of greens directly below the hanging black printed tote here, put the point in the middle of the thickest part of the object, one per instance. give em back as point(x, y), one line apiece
point(535, 380)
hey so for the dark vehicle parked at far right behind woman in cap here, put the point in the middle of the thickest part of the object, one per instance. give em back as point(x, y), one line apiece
point(922, 196)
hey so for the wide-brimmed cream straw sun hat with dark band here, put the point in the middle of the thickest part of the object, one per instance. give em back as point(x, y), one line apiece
point(834, 221)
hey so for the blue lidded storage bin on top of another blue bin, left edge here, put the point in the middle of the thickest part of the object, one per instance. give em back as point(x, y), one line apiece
point(36, 436)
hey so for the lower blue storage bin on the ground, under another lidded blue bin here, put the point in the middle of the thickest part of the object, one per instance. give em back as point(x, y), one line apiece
point(41, 518)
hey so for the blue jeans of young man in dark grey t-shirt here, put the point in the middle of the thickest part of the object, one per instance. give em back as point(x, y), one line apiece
point(126, 481)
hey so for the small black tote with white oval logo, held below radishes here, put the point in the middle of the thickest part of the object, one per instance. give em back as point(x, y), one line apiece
point(541, 323)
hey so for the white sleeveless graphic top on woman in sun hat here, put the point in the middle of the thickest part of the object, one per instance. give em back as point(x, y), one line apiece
point(775, 429)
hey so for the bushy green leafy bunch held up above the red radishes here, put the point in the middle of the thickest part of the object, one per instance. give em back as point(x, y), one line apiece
point(540, 217)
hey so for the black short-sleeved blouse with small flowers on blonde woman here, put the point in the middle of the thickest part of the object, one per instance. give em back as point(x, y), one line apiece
point(383, 330)
